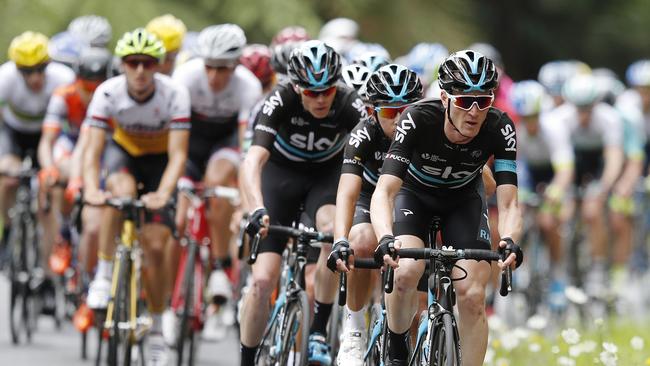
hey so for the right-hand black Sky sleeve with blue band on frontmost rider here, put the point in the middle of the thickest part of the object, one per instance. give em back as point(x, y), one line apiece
point(505, 152)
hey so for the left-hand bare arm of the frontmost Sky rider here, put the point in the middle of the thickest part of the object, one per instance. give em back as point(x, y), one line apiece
point(382, 204)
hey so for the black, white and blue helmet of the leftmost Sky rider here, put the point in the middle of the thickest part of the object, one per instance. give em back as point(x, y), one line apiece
point(314, 65)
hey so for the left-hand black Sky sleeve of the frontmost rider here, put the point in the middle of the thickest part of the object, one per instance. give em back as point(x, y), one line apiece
point(401, 149)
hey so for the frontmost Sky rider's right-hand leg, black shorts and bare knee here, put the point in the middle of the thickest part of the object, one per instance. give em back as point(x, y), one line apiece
point(466, 226)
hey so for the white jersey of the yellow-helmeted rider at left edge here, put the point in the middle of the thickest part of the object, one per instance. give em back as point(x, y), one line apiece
point(22, 109)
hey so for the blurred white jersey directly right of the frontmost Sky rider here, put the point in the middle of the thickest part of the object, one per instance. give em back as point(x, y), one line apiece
point(550, 146)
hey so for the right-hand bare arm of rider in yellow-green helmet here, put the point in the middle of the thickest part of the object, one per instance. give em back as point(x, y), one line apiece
point(177, 154)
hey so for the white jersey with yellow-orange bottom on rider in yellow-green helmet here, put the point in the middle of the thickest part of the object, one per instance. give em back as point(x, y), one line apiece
point(140, 128)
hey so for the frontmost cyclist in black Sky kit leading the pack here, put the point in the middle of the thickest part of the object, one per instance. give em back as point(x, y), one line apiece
point(444, 145)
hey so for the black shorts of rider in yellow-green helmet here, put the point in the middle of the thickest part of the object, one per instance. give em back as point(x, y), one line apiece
point(147, 171)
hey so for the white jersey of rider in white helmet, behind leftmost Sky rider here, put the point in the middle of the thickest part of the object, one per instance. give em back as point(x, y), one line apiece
point(234, 103)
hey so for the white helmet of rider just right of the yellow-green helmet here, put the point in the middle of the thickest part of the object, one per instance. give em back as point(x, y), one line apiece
point(221, 42)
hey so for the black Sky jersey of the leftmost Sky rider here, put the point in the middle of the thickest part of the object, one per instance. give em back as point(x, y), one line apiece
point(295, 137)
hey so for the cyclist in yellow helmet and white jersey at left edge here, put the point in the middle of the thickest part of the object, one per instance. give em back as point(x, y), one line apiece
point(26, 84)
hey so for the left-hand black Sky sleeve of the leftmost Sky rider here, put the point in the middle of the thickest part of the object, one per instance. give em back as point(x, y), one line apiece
point(270, 117)
